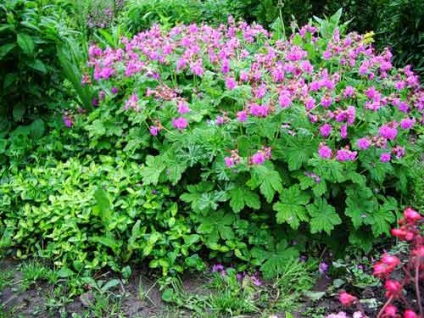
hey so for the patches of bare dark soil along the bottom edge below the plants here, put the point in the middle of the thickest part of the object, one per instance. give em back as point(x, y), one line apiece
point(34, 301)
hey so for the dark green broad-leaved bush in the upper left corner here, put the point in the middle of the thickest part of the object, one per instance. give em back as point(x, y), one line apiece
point(29, 34)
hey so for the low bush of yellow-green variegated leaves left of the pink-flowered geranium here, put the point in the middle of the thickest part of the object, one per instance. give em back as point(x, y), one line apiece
point(87, 215)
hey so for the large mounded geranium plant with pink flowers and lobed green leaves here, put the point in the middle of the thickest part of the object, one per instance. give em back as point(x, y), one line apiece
point(291, 138)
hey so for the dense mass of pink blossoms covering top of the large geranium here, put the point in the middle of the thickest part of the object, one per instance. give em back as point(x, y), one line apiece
point(278, 77)
